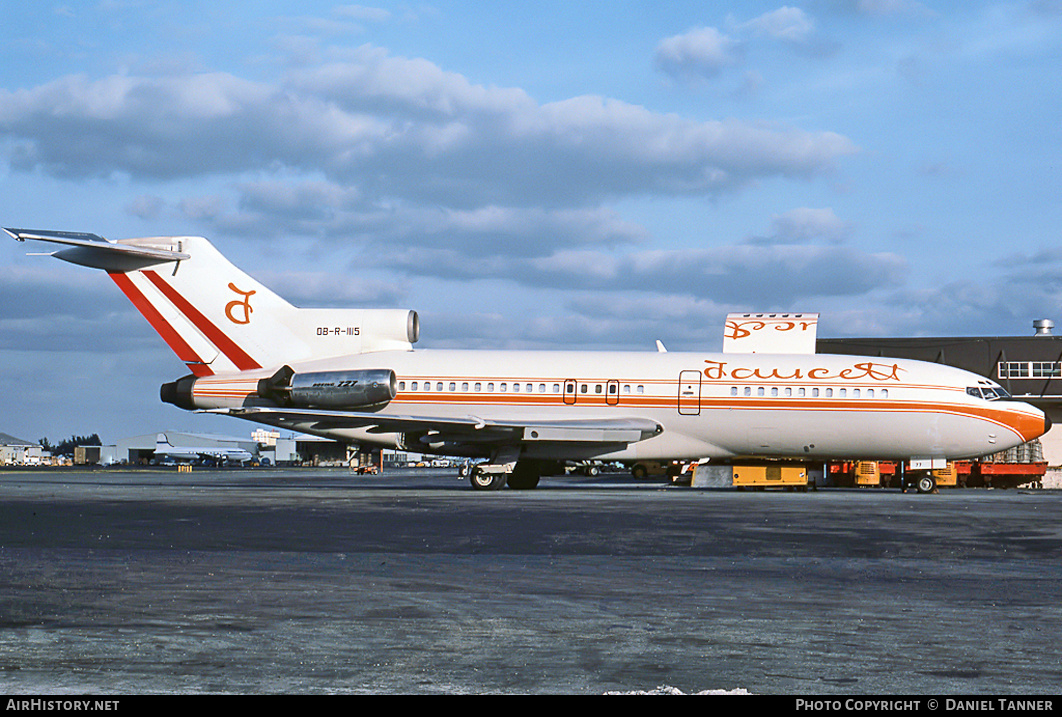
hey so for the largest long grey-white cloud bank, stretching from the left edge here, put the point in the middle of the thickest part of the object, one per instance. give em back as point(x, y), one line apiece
point(402, 128)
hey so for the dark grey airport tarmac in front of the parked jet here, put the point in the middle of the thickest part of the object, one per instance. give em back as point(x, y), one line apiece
point(316, 582)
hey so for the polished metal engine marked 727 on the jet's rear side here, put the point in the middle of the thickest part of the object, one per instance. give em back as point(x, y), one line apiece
point(357, 389)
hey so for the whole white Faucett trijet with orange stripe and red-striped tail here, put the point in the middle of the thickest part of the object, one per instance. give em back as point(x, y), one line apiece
point(353, 375)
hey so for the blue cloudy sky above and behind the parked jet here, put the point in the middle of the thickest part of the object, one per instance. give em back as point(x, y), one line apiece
point(546, 175)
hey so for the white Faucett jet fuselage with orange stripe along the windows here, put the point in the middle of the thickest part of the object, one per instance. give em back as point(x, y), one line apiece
point(710, 405)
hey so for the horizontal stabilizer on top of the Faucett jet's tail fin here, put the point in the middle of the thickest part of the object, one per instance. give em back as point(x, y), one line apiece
point(92, 250)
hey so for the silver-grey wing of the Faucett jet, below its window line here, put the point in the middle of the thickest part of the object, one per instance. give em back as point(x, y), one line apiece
point(465, 430)
